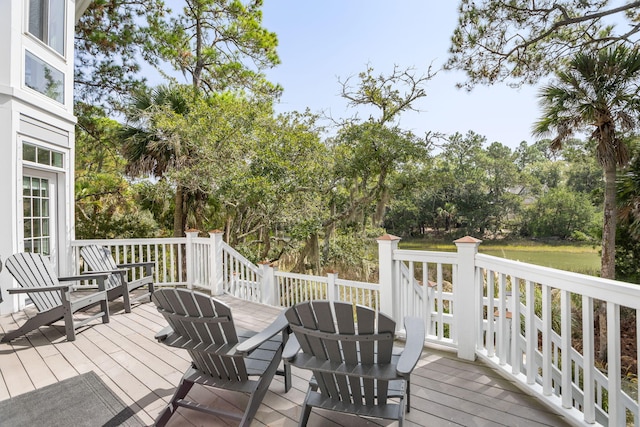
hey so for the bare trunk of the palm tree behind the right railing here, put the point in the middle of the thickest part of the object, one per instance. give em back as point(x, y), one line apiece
point(608, 260)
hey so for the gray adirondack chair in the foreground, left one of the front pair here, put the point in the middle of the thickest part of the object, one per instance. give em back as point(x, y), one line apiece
point(222, 356)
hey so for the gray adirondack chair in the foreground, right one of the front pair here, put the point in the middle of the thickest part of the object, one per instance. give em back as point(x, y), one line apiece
point(355, 367)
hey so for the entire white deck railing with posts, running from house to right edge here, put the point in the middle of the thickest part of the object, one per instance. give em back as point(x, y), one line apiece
point(522, 319)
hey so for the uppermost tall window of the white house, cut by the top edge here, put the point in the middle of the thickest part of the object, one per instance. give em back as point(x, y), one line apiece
point(46, 22)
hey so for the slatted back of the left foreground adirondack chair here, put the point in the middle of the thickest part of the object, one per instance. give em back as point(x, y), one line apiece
point(204, 326)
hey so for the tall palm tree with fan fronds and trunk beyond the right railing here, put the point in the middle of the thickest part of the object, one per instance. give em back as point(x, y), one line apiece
point(598, 91)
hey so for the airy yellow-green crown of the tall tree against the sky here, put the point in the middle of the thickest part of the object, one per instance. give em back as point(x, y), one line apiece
point(220, 44)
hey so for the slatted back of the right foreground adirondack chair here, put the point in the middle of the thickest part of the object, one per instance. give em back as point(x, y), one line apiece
point(356, 346)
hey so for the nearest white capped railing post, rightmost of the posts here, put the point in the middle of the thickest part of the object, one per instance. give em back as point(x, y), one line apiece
point(465, 295)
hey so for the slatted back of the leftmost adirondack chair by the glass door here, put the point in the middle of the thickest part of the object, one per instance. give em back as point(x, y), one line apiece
point(35, 271)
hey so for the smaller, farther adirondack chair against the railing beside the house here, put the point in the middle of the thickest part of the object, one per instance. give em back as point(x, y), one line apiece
point(99, 259)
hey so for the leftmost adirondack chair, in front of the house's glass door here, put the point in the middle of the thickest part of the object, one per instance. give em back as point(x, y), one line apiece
point(53, 299)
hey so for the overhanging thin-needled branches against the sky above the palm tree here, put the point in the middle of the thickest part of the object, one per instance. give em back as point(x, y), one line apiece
point(521, 41)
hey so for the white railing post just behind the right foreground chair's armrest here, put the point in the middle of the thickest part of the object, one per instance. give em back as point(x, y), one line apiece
point(387, 276)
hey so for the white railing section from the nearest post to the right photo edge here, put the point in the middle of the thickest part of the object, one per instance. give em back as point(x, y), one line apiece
point(531, 317)
